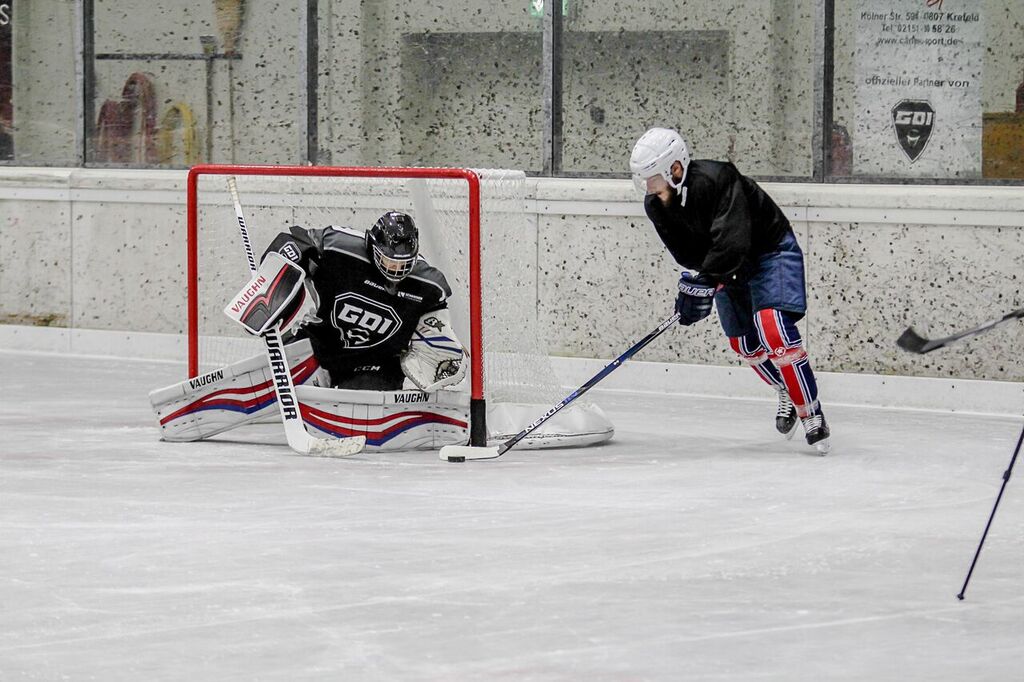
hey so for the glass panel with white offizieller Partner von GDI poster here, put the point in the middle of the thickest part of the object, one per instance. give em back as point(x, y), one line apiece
point(929, 90)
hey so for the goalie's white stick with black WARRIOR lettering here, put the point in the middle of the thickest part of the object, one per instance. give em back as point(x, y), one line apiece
point(295, 431)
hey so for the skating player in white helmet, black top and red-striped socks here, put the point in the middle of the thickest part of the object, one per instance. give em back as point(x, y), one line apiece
point(738, 249)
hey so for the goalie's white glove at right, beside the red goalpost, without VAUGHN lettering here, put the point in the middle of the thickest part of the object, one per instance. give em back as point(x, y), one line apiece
point(436, 359)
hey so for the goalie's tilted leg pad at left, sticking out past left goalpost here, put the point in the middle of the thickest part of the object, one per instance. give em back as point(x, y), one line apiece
point(228, 398)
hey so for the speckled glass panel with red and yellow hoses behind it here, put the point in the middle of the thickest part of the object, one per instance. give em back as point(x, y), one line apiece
point(176, 84)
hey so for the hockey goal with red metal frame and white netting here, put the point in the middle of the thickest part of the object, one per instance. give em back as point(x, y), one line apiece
point(474, 227)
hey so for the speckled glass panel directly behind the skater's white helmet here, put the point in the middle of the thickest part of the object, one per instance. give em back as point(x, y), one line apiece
point(736, 78)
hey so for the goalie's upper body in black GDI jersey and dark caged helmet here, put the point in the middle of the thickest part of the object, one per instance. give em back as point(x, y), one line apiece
point(381, 311)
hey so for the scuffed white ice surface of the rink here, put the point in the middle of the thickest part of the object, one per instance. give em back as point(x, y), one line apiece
point(698, 545)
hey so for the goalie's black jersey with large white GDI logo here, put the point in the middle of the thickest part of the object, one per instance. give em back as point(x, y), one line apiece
point(367, 321)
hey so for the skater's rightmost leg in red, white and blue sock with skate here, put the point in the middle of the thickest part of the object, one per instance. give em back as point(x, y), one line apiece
point(779, 333)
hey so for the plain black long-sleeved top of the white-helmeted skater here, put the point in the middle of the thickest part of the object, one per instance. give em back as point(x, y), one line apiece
point(728, 225)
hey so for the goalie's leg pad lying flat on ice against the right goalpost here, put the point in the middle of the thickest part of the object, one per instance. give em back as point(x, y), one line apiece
point(390, 420)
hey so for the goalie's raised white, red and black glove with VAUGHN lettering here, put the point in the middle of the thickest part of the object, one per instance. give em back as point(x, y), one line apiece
point(274, 295)
